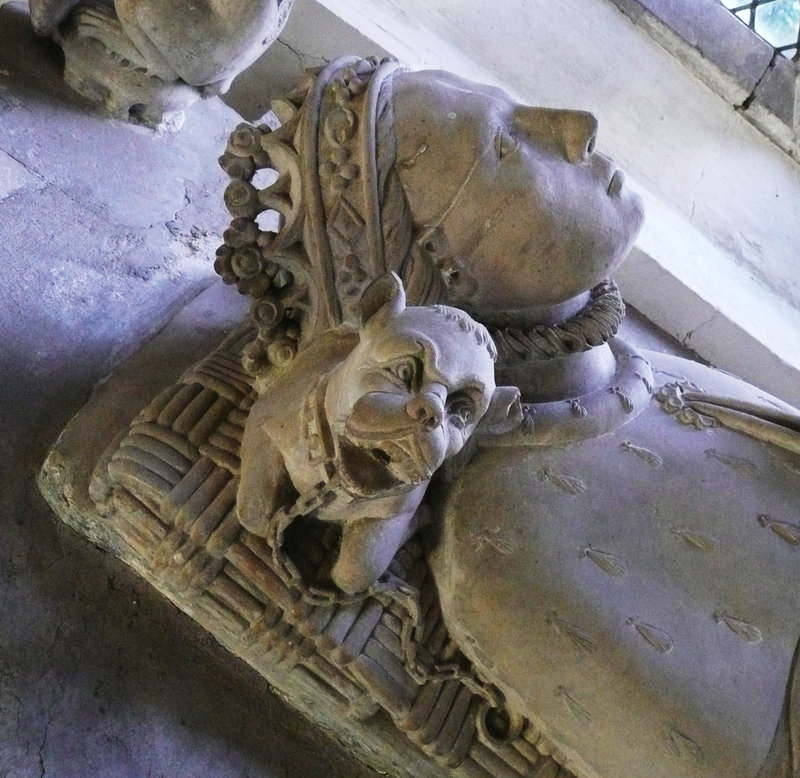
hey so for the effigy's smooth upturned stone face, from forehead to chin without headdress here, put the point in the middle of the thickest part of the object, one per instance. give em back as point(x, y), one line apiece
point(516, 191)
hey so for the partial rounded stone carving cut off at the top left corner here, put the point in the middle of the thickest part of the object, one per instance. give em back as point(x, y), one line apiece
point(148, 60)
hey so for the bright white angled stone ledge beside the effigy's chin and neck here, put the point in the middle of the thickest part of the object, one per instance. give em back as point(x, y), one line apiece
point(697, 293)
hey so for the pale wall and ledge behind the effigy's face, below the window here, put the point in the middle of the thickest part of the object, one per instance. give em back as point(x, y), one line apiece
point(719, 190)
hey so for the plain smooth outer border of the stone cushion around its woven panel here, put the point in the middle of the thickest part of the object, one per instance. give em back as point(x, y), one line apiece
point(65, 482)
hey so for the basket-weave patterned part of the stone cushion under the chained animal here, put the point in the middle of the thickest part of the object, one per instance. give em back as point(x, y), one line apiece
point(168, 494)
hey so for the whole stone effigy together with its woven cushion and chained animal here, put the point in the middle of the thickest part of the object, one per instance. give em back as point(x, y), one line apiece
point(421, 485)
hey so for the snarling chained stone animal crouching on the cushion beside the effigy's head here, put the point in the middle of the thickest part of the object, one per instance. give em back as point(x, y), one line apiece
point(370, 416)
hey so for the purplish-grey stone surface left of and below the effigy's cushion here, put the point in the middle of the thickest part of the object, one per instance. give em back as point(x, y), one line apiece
point(99, 247)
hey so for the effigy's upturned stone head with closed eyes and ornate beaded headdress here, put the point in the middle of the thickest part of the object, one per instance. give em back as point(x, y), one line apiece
point(473, 199)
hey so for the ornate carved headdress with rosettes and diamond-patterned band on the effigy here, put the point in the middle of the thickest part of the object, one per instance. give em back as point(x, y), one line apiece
point(342, 215)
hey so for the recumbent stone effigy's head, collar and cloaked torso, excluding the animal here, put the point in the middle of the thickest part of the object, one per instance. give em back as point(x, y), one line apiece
point(513, 215)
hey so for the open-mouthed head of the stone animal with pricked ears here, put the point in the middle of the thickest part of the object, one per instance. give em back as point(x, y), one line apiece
point(417, 385)
